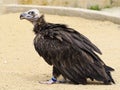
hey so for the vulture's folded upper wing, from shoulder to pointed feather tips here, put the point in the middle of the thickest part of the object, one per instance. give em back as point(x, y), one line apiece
point(77, 40)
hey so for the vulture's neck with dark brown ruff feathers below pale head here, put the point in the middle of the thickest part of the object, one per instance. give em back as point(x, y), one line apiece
point(39, 25)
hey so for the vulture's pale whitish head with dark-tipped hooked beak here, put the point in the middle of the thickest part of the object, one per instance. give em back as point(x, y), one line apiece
point(32, 15)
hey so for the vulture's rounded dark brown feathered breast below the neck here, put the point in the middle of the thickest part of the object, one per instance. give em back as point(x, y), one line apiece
point(50, 48)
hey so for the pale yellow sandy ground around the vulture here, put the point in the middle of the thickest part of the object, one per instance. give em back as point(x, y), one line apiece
point(21, 68)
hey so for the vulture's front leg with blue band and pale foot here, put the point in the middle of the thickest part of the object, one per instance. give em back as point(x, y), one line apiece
point(56, 73)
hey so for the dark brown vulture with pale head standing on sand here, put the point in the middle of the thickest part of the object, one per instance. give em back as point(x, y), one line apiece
point(71, 54)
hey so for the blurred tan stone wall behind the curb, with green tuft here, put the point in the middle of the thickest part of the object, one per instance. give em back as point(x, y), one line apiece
point(90, 4)
